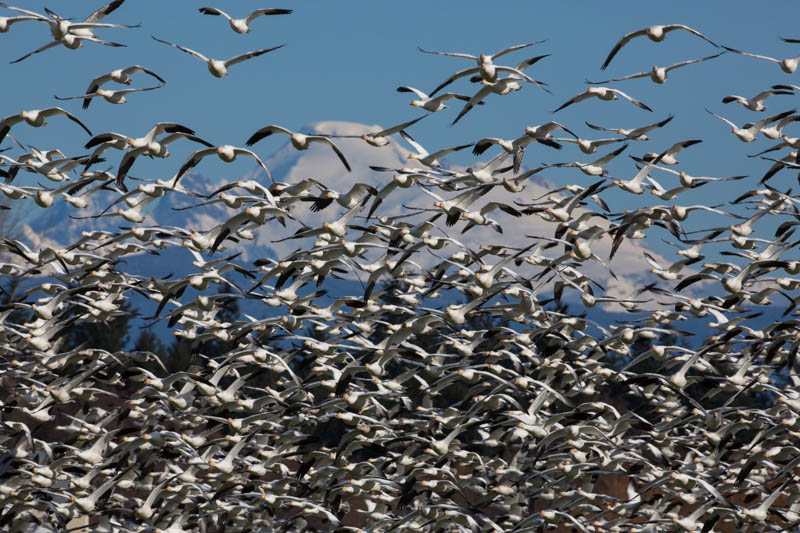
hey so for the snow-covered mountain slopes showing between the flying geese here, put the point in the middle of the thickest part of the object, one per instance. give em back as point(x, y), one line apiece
point(60, 223)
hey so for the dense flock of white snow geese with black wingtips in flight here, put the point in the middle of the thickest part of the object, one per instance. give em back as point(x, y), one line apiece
point(458, 387)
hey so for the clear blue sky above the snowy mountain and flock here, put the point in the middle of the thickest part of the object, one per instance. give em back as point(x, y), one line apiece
point(343, 61)
